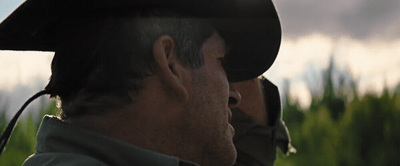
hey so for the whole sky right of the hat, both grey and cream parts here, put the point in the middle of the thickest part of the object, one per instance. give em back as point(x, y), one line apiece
point(363, 36)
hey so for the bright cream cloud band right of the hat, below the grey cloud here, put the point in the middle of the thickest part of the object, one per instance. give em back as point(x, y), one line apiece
point(373, 64)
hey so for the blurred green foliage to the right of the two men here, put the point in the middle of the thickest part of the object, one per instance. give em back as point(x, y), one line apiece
point(336, 131)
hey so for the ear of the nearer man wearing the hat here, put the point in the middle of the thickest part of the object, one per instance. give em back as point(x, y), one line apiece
point(169, 68)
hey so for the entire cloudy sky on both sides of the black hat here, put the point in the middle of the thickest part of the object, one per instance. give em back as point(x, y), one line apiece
point(362, 36)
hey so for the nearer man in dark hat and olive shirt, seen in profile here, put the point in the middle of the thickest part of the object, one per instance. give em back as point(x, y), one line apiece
point(143, 82)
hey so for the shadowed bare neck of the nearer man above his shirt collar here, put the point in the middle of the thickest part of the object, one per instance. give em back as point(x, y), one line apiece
point(150, 122)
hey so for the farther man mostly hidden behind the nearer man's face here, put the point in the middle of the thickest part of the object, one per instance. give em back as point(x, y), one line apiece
point(258, 124)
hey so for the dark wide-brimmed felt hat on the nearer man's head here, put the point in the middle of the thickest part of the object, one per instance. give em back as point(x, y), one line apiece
point(251, 27)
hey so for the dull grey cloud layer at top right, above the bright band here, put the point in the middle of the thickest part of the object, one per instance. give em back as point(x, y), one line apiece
point(359, 19)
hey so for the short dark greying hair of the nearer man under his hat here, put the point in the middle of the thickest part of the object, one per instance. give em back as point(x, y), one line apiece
point(113, 69)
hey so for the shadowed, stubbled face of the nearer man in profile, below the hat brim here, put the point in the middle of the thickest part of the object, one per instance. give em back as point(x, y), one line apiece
point(207, 112)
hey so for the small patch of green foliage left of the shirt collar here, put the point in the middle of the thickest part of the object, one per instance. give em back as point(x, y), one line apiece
point(23, 139)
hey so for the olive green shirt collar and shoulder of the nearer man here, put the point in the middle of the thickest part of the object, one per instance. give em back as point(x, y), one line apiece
point(60, 144)
